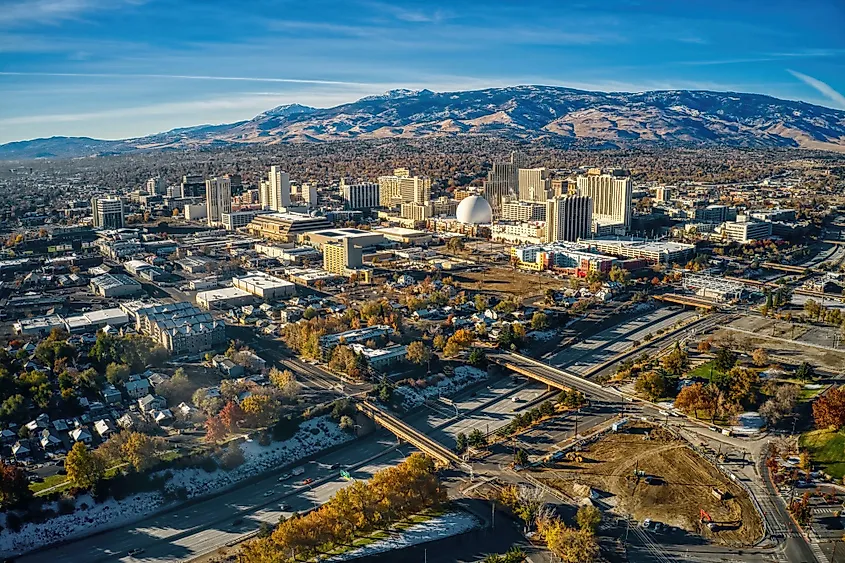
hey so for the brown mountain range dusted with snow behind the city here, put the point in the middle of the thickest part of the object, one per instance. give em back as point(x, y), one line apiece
point(671, 118)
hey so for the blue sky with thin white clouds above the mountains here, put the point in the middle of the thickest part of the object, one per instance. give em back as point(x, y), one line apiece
point(121, 68)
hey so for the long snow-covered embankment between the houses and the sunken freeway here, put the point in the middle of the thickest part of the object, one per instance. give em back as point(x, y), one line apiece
point(313, 435)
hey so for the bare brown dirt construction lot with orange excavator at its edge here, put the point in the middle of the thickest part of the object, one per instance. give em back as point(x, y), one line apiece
point(686, 483)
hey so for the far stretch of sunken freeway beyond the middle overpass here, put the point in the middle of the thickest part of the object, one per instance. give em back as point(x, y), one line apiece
point(583, 356)
